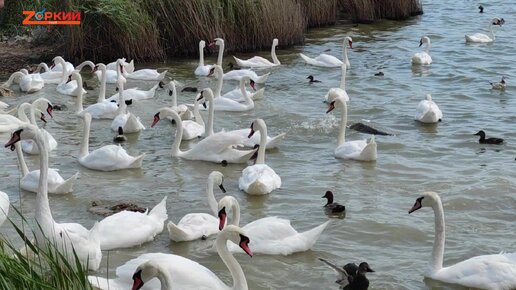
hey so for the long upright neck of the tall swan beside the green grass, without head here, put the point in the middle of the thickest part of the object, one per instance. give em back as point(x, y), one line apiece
point(43, 213)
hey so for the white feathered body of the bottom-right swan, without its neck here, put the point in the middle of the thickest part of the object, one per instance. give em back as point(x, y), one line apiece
point(496, 271)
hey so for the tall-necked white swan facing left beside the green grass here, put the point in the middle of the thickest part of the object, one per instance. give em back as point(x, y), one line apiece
point(70, 239)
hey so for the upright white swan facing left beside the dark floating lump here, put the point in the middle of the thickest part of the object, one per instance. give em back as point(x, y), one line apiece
point(358, 149)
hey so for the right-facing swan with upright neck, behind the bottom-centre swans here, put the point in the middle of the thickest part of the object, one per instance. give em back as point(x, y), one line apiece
point(195, 226)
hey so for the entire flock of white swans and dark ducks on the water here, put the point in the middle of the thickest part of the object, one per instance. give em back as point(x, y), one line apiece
point(269, 235)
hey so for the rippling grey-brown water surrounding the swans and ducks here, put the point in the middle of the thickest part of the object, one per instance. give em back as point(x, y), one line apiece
point(476, 182)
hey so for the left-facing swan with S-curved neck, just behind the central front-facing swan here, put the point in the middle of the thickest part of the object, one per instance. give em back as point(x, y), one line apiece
point(216, 148)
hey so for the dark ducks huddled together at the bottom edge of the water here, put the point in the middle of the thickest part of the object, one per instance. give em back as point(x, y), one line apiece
point(353, 277)
